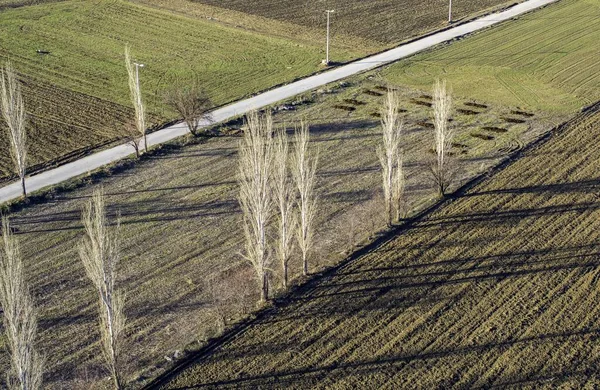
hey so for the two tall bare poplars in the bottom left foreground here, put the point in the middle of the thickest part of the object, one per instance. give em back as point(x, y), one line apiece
point(99, 253)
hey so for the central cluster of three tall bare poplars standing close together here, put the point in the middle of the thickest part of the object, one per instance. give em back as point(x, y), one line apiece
point(277, 192)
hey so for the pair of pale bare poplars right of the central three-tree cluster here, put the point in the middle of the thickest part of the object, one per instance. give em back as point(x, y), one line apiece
point(390, 151)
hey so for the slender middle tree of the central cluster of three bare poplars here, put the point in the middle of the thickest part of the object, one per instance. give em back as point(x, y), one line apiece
point(284, 197)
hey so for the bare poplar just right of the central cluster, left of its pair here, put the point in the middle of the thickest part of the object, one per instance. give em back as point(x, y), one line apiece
point(389, 157)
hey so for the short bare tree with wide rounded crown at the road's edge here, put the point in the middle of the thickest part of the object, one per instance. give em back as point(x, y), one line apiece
point(191, 102)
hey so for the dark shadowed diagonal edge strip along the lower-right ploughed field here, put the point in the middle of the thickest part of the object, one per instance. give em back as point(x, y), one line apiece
point(308, 285)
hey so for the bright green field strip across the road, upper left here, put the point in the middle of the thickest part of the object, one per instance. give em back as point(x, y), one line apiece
point(87, 38)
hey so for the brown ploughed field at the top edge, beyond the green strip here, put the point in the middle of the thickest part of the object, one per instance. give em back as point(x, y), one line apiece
point(379, 21)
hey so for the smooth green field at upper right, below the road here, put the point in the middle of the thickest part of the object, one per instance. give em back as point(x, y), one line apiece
point(547, 60)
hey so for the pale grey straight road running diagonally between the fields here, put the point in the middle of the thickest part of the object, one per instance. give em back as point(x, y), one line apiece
point(102, 158)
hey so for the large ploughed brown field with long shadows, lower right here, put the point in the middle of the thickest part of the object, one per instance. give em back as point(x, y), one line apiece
point(499, 287)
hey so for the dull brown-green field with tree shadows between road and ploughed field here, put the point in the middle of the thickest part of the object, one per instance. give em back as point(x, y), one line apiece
point(180, 239)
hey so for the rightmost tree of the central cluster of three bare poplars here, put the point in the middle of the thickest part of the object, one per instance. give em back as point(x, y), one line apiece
point(304, 168)
